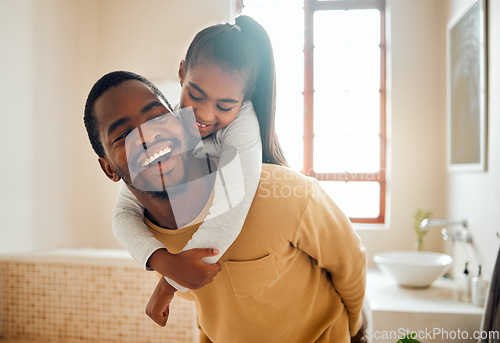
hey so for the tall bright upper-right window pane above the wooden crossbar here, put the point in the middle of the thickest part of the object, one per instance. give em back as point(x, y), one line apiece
point(346, 91)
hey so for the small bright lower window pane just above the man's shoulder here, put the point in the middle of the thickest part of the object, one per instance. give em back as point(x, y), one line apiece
point(355, 199)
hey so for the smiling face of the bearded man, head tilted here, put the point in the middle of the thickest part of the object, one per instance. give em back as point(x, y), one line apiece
point(135, 122)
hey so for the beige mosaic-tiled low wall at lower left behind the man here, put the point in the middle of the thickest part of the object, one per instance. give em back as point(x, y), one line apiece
point(56, 302)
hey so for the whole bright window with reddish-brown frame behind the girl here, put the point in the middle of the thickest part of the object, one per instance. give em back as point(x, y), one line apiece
point(343, 120)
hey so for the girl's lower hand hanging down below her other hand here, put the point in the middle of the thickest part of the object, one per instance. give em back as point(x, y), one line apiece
point(158, 306)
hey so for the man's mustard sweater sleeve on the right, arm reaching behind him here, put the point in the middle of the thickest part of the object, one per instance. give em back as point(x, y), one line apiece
point(326, 235)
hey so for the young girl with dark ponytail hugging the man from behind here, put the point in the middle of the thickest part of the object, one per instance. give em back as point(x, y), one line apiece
point(218, 58)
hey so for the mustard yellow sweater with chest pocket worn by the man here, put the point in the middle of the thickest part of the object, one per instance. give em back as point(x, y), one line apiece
point(296, 272)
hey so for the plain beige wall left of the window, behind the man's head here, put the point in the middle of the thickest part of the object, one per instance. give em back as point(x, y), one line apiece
point(53, 193)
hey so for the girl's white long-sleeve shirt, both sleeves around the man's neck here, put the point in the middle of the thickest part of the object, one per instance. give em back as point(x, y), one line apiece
point(239, 149)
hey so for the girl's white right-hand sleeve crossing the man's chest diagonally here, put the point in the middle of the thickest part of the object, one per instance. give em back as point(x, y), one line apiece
point(238, 174)
